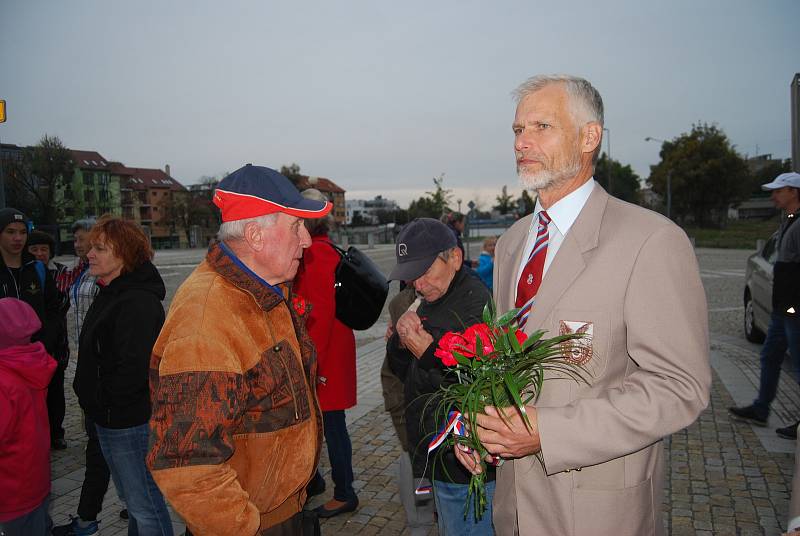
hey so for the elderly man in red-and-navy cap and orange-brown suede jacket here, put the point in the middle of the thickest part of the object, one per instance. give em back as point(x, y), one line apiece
point(236, 428)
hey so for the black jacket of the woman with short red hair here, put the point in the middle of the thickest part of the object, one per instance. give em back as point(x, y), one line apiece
point(116, 340)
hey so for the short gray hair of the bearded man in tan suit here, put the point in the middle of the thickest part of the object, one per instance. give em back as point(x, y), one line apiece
point(586, 104)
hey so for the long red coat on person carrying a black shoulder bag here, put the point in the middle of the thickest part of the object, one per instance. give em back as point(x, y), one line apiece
point(336, 345)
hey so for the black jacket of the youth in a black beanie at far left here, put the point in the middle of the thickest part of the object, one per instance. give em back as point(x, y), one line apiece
point(44, 300)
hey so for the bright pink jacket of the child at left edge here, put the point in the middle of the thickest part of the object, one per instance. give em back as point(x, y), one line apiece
point(25, 372)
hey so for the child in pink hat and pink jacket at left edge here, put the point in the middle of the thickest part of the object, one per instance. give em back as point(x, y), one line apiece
point(25, 371)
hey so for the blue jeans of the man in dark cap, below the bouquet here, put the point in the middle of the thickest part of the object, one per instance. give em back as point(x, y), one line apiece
point(450, 499)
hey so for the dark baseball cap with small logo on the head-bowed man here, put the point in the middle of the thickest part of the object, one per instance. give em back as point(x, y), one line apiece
point(418, 245)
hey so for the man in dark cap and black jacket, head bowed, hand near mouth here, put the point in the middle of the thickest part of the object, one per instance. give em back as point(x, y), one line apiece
point(450, 298)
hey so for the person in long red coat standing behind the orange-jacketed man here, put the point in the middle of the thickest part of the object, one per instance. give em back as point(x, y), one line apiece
point(336, 355)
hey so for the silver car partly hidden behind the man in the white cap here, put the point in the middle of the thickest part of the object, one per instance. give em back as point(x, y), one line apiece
point(758, 290)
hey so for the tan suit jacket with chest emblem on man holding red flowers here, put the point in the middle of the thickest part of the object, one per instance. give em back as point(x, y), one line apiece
point(628, 277)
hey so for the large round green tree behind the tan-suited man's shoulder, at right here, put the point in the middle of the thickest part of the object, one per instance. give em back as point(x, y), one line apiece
point(706, 174)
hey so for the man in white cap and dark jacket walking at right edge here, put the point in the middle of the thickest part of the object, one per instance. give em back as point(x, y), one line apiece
point(784, 326)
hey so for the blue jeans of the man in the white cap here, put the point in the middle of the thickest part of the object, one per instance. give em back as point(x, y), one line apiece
point(783, 333)
